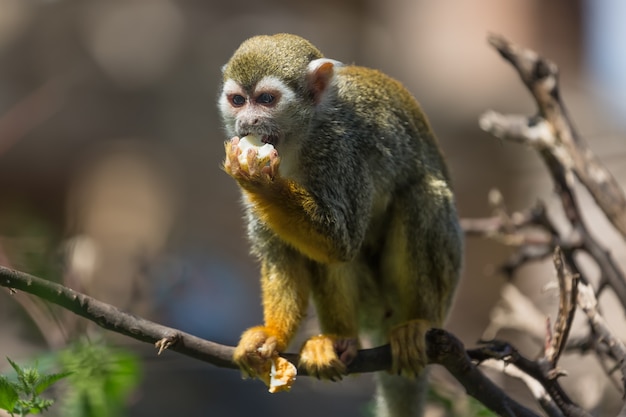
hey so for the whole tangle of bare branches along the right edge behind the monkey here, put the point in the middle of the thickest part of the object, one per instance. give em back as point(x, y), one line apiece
point(567, 157)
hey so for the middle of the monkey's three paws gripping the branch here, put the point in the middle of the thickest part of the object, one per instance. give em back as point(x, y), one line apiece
point(328, 357)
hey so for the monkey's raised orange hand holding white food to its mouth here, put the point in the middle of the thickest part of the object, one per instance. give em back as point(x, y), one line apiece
point(254, 171)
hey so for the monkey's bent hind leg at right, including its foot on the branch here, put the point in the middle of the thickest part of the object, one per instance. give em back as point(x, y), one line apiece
point(421, 265)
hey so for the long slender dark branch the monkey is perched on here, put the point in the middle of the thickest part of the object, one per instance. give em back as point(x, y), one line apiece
point(443, 348)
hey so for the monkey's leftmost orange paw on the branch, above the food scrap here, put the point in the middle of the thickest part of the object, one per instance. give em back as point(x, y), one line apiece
point(255, 351)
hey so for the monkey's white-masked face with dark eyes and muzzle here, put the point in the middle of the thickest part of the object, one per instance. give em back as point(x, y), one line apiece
point(265, 109)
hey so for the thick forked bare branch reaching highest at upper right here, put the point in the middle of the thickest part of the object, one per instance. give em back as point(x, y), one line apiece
point(567, 156)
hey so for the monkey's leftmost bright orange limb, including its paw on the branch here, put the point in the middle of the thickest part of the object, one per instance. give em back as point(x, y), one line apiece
point(285, 293)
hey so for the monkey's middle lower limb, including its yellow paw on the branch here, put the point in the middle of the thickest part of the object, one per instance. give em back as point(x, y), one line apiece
point(335, 293)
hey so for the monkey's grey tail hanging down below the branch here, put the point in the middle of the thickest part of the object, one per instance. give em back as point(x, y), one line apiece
point(400, 397)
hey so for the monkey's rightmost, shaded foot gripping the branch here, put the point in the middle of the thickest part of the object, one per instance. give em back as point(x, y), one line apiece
point(408, 348)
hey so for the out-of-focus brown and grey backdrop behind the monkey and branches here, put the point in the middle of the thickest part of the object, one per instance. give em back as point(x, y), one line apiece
point(110, 147)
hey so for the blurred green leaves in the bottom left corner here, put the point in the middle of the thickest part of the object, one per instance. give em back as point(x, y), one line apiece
point(98, 382)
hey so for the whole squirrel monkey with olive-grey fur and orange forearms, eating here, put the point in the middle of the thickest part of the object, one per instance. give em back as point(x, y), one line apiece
point(352, 206)
